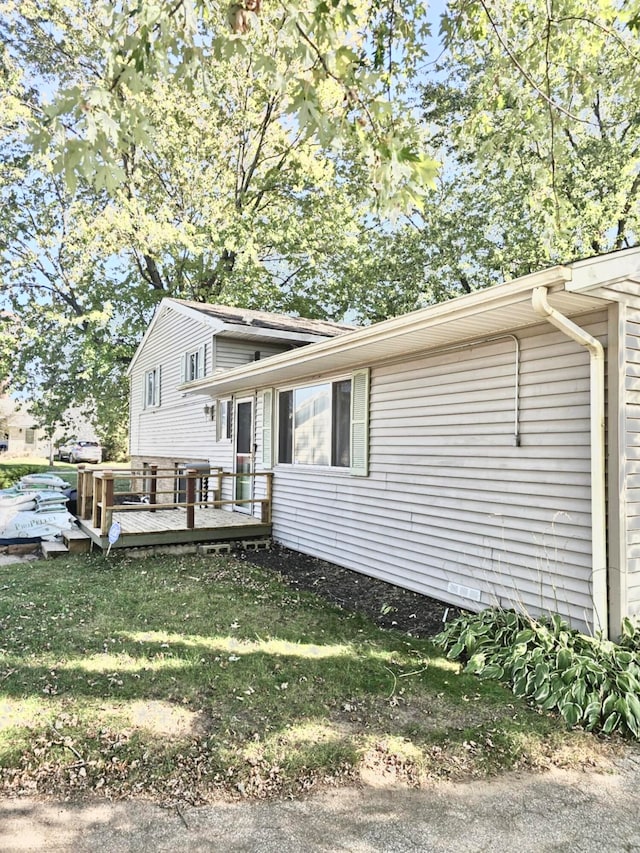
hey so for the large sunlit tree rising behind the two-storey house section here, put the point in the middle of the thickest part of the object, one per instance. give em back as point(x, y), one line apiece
point(201, 185)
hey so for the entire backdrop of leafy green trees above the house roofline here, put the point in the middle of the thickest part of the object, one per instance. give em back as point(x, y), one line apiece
point(247, 153)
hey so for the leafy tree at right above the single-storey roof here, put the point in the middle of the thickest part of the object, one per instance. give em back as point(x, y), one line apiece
point(538, 119)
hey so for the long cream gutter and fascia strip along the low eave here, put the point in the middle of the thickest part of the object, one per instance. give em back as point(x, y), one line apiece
point(310, 358)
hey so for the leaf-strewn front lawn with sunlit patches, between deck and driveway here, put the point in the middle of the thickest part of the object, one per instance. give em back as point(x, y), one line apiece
point(187, 678)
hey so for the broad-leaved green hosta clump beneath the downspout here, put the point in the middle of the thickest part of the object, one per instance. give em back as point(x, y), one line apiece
point(590, 682)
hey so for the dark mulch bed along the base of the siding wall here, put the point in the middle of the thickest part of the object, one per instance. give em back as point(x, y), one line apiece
point(388, 605)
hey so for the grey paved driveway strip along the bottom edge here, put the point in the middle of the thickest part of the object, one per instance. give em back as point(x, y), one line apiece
point(564, 811)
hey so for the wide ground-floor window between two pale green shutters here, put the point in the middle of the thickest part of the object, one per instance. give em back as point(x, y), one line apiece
point(314, 425)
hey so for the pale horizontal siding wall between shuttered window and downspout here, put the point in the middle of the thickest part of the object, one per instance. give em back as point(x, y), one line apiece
point(451, 507)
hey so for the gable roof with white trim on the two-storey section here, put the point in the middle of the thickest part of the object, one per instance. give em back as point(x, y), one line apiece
point(257, 326)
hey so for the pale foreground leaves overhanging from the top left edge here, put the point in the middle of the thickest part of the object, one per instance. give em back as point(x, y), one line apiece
point(340, 71)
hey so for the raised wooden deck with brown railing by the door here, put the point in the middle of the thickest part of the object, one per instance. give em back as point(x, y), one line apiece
point(160, 524)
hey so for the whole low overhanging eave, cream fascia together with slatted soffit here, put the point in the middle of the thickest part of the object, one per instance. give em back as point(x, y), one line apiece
point(573, 289)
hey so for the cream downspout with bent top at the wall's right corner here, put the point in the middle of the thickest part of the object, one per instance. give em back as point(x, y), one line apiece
point(597, 415)
